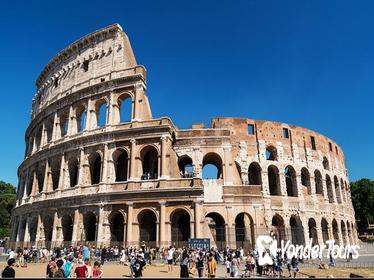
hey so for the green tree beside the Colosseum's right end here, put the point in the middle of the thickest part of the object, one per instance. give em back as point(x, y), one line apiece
point(362, 192)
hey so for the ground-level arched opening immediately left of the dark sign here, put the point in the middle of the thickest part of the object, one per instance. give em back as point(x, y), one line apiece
point(180, 227)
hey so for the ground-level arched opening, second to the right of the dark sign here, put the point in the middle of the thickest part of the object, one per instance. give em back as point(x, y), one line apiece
point(244, 231)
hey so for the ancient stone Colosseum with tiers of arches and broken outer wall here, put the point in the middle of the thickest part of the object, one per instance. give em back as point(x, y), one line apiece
point(99, 168)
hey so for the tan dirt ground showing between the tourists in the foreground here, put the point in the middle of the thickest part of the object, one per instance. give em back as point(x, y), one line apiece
point(160, 271)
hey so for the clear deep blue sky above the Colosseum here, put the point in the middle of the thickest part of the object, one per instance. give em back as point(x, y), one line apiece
point(308, 63)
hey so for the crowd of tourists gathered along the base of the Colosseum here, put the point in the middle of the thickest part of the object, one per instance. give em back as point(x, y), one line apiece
point(86, 262)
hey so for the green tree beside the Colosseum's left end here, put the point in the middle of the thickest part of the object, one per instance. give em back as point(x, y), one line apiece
point(8, 198)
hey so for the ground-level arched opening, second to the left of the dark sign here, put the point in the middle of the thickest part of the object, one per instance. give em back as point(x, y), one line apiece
point(147, 227)
